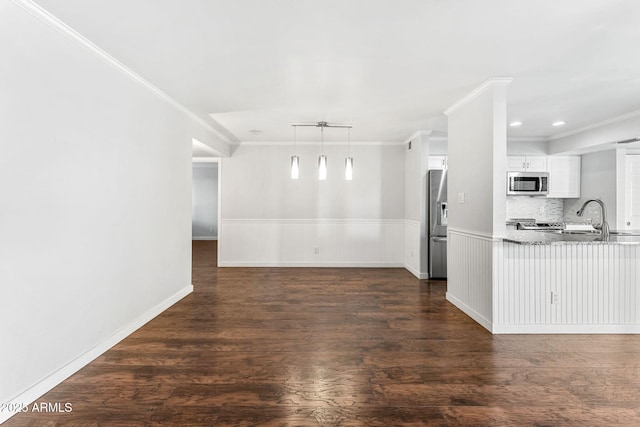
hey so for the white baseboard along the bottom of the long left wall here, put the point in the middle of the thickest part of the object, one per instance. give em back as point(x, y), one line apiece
point(46, 384)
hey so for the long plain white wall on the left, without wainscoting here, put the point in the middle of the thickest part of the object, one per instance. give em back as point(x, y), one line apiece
point(95, 185)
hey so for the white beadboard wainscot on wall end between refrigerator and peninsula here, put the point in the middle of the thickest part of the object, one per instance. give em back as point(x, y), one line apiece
point(469, 270)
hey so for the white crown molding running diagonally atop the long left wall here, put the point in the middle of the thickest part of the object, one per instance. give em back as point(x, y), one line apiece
point(62, 28)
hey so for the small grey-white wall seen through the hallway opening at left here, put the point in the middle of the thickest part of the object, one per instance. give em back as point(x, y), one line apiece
point(204, 201)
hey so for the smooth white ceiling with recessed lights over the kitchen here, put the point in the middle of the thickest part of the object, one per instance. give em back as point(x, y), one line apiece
point(389, 67)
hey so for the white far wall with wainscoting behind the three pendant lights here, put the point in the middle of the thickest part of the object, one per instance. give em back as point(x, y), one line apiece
point(269, 219)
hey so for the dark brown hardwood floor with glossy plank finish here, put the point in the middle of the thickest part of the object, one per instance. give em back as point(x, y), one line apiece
point(334, 347)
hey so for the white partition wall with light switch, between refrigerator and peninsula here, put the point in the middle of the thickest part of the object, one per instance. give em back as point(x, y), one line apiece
point(477, 168)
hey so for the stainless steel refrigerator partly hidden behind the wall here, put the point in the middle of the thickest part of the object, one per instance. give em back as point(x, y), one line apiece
point(437, 184)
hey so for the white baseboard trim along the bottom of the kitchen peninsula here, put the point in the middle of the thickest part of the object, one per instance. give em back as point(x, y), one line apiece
point(566, 329)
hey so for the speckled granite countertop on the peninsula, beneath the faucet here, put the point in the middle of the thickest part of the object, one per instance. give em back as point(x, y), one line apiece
point(527, 237)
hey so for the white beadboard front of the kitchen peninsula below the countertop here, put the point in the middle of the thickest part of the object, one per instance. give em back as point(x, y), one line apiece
point(597, 288)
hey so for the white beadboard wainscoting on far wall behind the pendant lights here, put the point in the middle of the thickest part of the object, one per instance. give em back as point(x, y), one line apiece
point(292, 243)
